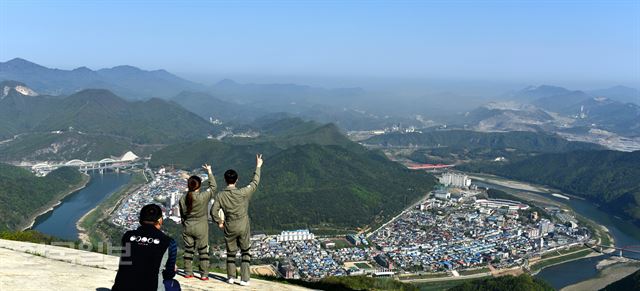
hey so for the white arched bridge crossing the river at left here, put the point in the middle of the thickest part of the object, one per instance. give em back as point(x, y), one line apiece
point(129, 159)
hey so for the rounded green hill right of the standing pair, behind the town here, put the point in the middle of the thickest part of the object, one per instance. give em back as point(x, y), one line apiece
point(313, 185)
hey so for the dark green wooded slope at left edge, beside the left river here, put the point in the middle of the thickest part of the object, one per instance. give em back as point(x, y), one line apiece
point(22, 193)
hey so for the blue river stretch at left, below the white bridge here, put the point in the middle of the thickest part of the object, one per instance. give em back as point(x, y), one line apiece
point(61, 222)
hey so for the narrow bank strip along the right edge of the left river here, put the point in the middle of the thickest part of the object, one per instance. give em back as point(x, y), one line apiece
point(86, 225)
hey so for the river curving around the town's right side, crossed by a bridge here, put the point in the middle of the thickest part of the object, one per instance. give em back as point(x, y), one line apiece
point(624, 233)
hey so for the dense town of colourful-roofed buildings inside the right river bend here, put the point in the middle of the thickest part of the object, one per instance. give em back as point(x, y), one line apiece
point(441, 235)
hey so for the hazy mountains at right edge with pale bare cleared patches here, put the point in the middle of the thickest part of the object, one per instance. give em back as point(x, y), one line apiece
point(550, 108)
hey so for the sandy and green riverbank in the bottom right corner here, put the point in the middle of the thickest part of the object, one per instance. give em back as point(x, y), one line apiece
point(607, 275)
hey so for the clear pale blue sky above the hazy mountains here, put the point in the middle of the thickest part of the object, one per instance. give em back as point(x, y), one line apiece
point(514, 41)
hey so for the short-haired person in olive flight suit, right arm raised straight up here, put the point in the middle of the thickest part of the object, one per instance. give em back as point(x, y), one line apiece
point(235, 204)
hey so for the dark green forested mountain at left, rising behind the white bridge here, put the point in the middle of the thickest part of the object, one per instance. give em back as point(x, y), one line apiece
point(98, 111)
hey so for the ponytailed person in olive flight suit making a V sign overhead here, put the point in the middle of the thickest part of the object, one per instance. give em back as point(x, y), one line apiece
point(195, 233)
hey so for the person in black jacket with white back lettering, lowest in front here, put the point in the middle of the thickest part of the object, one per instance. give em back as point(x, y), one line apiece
point(148, 261)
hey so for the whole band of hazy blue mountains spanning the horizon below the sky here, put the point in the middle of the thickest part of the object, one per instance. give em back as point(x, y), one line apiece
point(538, 108)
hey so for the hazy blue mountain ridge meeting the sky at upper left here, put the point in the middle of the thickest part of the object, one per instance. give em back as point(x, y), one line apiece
point(126, 81)
